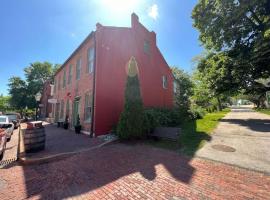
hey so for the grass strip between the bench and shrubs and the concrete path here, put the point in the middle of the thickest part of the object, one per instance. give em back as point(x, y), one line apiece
point(194, 134)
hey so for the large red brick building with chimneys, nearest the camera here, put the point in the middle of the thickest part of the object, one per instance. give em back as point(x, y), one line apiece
point(92, 80)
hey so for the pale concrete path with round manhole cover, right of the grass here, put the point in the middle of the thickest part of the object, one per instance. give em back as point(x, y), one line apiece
point(246, 131)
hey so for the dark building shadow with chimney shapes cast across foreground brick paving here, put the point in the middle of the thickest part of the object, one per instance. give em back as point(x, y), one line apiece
point(88, 171)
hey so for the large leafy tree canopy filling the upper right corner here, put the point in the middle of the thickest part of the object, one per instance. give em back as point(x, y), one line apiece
point(237, 32)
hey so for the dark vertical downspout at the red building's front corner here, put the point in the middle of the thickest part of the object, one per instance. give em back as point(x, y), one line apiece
point(94, 89)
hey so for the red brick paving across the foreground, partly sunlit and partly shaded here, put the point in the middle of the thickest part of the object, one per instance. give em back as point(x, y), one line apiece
point(121, 171)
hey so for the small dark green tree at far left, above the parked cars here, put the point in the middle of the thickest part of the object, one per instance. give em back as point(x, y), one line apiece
point(18, 93)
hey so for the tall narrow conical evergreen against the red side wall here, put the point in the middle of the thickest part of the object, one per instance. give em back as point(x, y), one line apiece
point(131, 120)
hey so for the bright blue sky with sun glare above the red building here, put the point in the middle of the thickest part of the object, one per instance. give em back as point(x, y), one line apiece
point(49, 30)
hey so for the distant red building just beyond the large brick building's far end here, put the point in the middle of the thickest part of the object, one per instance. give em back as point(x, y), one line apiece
point(45, 107)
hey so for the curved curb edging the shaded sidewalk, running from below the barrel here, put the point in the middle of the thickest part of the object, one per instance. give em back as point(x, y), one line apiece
point(35, 161)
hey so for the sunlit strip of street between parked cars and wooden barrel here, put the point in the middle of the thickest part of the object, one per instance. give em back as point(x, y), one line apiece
point(11, 149)
